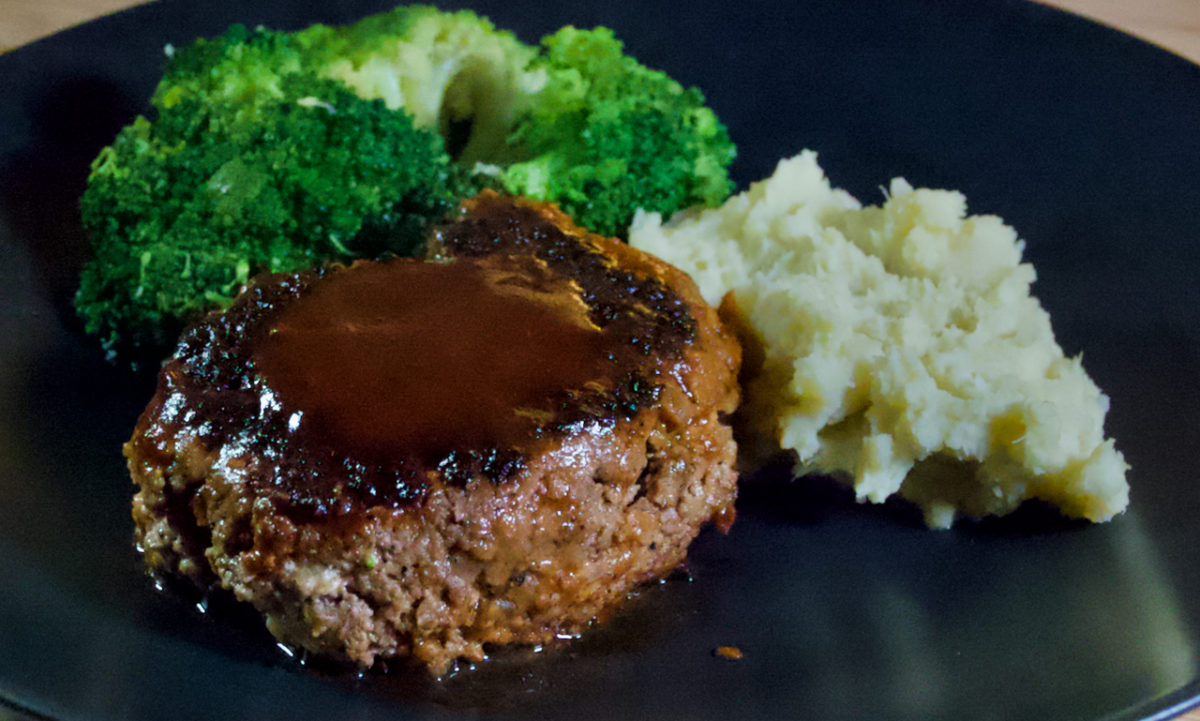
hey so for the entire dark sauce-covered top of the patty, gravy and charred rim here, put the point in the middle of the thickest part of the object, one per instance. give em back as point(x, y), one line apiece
point(364, 386)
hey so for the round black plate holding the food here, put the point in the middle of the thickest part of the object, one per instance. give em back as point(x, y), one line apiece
point(1087, 141)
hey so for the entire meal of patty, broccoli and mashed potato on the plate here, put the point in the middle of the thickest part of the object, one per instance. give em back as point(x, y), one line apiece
point(425, 400)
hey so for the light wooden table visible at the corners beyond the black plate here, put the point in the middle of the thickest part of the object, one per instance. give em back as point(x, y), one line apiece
point(1173, 25)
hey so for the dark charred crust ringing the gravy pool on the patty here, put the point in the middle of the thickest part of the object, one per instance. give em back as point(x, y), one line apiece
point(215, 375)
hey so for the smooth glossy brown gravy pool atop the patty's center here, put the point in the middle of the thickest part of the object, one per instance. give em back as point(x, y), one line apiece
point(433, 357)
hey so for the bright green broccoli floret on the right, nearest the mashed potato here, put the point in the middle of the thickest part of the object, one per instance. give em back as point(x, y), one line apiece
point(607, 136)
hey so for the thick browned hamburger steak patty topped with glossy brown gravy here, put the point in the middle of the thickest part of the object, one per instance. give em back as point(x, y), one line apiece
point(407, 458)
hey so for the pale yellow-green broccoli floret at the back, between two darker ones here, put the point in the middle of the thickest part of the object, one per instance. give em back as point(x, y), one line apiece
point(448, 70)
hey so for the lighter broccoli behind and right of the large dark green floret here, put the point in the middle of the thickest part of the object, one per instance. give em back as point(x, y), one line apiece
point(575, 122)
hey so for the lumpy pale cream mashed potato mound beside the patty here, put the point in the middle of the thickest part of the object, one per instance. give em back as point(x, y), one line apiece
point(901, 346)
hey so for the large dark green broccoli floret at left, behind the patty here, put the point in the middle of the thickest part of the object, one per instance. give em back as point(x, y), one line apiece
point(185, 209)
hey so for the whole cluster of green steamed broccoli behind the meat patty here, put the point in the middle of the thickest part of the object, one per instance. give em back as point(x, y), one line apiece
point(278, 151)
